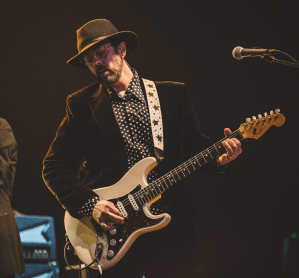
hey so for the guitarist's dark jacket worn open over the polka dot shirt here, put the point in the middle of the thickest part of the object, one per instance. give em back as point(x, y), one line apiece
point(90, 134)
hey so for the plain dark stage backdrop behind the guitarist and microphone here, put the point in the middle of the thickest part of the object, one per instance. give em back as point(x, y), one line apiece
point(245, 215)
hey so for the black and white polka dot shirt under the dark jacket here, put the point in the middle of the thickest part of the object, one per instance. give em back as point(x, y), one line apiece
point(132, 115)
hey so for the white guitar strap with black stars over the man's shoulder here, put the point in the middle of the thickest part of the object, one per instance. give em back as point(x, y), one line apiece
point(155, 117)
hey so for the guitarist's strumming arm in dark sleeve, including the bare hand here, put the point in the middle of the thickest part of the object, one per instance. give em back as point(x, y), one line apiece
point(60, 166)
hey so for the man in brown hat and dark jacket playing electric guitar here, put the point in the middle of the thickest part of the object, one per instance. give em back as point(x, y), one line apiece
point(107, 129)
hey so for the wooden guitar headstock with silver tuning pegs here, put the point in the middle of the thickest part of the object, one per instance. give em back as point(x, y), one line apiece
point(256, 127)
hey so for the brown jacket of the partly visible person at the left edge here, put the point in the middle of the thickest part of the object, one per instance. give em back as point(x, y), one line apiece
point(11, 253)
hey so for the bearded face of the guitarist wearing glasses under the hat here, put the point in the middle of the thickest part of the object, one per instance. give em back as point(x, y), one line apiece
point(105, 63)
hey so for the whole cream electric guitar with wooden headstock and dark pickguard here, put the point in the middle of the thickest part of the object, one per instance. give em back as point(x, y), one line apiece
point(132, 196)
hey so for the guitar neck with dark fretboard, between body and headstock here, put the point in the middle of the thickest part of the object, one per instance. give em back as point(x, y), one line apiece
point(177, 174)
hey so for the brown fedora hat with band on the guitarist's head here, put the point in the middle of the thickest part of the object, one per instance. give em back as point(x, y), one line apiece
point(94, 32)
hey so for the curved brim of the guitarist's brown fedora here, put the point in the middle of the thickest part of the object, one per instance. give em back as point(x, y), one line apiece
point(130, 38)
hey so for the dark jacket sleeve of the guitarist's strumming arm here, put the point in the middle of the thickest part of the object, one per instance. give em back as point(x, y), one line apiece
point(61, 162)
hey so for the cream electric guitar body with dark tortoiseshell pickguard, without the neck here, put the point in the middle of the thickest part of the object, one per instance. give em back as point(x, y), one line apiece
point(82, 233)
